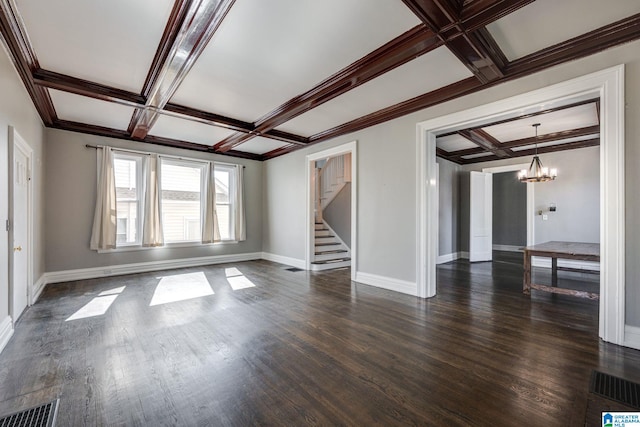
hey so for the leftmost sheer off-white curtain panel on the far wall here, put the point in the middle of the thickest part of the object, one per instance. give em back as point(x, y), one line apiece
point(103, 234)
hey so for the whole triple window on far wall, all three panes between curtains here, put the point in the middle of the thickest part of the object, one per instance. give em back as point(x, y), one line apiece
point(182, 190)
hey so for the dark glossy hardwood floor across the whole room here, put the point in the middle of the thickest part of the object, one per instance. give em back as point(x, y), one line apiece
point(302, 348)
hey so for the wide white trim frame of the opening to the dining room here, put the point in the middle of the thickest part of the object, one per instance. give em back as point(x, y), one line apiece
point(607, 84)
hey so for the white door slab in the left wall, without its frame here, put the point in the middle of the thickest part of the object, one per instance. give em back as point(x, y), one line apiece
point(20, 270)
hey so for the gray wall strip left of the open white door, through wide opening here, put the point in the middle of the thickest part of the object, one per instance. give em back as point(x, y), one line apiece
point(448, 207)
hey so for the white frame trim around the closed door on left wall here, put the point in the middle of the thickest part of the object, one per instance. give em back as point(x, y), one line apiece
point(15, 140)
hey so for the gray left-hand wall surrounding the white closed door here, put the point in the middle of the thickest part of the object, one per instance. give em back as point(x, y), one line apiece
point(17, 110)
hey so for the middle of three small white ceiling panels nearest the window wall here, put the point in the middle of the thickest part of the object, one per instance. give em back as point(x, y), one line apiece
point(188, 130)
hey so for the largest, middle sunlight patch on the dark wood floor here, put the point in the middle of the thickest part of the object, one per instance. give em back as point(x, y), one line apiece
point(181, 287)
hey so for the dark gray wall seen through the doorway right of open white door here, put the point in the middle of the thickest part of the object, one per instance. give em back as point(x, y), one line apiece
point(509, 210)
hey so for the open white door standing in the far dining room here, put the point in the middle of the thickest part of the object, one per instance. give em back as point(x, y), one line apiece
point(480, 215)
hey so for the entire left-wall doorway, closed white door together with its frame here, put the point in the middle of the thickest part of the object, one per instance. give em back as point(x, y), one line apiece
point(20, 221)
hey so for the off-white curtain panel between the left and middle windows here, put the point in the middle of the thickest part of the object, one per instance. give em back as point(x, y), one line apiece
point(152, 217)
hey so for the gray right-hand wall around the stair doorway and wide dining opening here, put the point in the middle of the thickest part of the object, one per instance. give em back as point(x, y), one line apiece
point(387, 178)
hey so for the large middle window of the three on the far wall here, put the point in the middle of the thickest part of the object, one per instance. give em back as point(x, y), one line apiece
point(182, 187)
